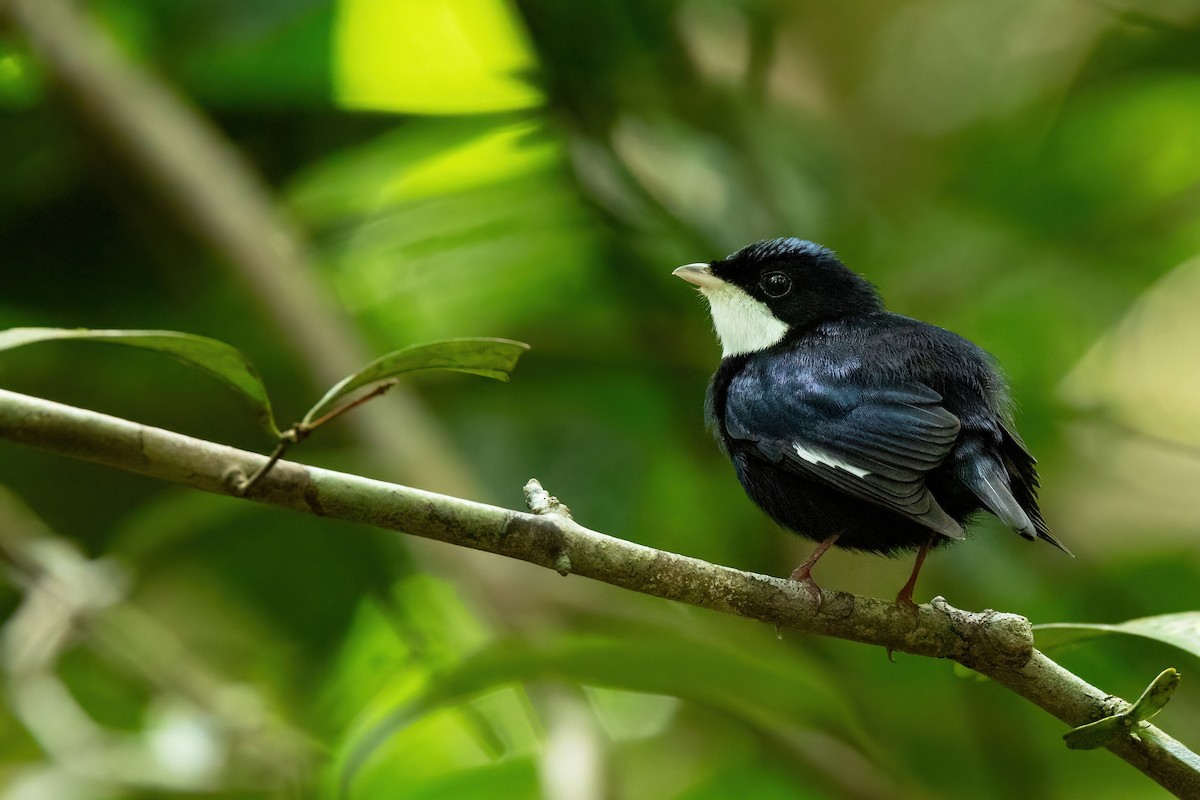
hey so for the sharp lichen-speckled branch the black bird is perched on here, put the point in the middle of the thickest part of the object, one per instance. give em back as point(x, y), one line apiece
point(997, 645)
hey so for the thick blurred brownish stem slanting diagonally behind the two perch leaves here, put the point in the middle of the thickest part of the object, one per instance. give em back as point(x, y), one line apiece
point(212, 191)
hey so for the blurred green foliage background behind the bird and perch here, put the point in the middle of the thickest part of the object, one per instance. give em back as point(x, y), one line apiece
point(1024, 173)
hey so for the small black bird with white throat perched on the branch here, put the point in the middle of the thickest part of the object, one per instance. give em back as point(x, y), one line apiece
point(851, 425)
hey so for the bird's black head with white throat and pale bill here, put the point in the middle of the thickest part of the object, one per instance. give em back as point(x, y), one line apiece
point(764, 292)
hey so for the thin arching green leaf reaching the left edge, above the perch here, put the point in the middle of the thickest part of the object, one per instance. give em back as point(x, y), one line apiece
point(219, 359)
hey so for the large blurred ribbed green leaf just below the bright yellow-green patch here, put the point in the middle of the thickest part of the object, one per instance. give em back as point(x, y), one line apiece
point(415, 213)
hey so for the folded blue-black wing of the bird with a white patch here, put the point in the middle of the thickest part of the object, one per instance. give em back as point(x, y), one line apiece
point(874, 443)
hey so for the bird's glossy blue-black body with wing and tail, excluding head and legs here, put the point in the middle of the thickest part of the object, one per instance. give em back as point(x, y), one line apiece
point(843, 376)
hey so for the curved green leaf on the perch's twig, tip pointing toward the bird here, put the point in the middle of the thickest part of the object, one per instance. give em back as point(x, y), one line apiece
point(479, 357)
